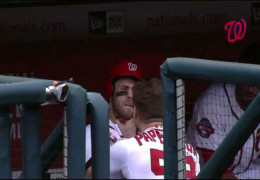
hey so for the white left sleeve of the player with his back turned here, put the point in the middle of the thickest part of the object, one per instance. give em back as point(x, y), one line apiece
point(118, 159)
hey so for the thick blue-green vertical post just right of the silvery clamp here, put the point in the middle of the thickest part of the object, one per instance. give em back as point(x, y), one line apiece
point(76, 123)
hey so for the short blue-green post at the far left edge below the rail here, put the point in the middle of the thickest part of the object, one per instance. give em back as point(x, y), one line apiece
point(5, 139)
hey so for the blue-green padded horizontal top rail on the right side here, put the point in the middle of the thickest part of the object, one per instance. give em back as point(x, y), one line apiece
point(218, 71)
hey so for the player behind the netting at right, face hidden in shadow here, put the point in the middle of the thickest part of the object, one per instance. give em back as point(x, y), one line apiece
point(215, 113)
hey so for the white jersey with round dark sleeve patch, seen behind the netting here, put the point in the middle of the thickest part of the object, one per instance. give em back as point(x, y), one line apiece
point(215, 113)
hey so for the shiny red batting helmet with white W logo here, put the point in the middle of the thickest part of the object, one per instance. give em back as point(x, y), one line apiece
point(124, 68)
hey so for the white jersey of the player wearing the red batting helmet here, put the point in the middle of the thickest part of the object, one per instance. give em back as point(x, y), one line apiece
point(114, 135)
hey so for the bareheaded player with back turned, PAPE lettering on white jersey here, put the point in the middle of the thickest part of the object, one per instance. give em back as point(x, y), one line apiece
point(141, 157)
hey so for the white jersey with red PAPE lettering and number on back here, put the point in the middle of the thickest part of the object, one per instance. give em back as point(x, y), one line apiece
point(142, 157)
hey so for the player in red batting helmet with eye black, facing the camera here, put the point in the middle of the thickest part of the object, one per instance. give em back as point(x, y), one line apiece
point(123, 76)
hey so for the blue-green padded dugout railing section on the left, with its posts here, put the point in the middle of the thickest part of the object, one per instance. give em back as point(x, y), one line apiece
point(31, 93)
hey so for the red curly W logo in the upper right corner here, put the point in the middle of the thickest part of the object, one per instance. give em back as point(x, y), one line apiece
point(236, 30)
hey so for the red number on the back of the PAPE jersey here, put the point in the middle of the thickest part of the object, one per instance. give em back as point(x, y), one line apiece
point(157, 164)
